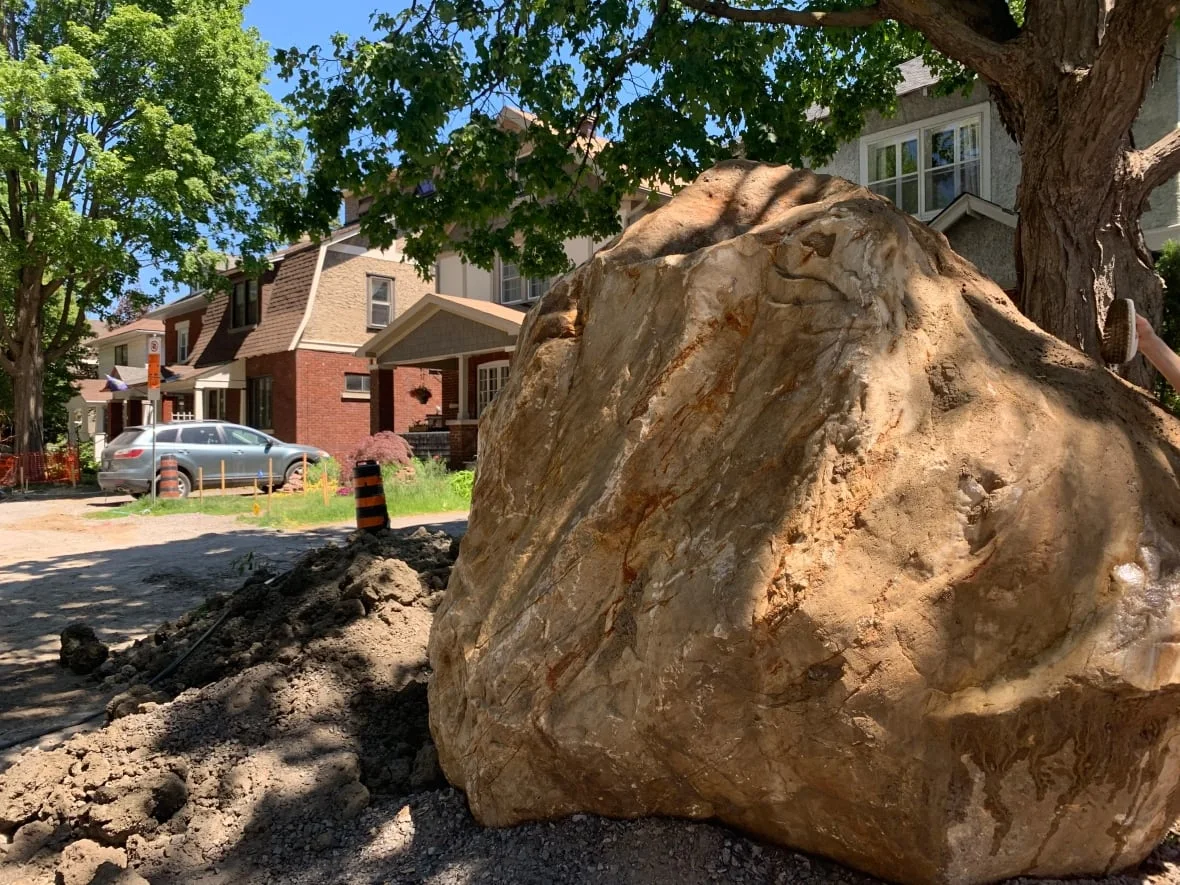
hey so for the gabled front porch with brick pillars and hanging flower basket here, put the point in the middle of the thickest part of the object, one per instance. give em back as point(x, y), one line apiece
point(469, 343)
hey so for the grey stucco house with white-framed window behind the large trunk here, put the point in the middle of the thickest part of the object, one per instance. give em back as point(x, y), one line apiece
point(948, 161)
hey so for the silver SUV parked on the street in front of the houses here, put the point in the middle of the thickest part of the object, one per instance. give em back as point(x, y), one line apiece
point(245, 454)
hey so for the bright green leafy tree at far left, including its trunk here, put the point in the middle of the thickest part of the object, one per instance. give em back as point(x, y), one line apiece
point(132, 135)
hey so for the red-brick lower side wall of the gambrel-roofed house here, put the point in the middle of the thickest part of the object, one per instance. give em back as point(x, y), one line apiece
point(327, 418)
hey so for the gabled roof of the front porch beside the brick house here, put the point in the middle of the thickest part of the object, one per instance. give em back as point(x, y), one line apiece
point(440, 330)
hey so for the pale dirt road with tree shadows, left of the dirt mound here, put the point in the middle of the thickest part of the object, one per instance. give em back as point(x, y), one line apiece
point(123, 578)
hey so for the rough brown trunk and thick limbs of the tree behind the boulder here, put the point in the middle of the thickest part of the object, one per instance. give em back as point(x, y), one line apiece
point(1068, 84)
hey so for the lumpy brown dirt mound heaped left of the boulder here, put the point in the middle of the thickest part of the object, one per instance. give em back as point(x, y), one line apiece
point(307, 700)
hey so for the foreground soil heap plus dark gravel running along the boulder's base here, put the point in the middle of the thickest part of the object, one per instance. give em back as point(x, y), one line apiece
point(292, 746)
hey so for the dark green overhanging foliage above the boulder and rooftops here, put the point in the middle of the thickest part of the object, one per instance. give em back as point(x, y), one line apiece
point(672, 89)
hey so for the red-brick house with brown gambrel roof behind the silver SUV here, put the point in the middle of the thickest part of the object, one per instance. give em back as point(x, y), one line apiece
point(278, 352)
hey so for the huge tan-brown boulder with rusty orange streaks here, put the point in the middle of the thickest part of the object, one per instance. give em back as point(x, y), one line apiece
point(789, 519)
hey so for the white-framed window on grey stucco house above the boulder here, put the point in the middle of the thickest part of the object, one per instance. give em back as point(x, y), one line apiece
point(925, 168)
